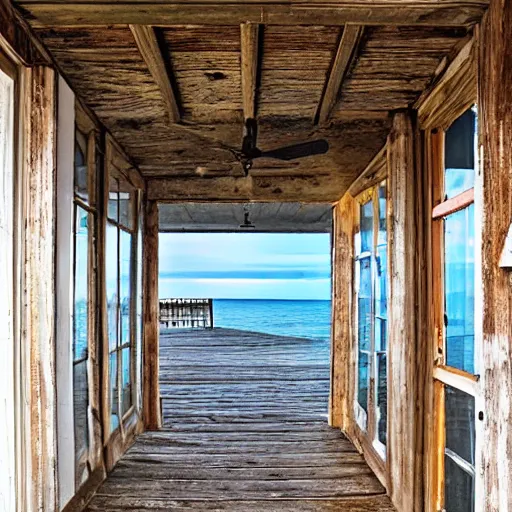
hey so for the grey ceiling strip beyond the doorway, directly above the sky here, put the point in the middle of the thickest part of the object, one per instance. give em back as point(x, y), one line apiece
point(228, 217)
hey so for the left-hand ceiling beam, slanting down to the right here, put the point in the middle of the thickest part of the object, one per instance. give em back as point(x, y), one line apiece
point(147, 43)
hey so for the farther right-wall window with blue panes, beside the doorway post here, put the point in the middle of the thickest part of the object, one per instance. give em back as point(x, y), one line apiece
point(371, 278)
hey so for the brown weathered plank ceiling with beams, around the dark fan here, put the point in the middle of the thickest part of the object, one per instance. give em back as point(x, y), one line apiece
point(174, 82)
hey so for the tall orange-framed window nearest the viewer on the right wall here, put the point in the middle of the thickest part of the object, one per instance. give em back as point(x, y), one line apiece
point(455, 369)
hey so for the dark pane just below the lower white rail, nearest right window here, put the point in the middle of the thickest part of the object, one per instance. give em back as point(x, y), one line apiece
point(460, 423)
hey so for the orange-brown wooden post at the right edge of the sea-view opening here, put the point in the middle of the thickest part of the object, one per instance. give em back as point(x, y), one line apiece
point(342, 377)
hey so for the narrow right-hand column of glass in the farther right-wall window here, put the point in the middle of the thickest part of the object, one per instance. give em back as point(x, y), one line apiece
point(381, 315)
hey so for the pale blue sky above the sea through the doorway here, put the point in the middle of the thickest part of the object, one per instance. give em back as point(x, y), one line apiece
point(245, 266)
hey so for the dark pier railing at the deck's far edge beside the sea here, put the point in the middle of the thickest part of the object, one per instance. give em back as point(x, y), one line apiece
point(186, 313)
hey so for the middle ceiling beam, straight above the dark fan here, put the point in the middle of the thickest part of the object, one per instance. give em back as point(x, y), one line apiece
point(249, 33)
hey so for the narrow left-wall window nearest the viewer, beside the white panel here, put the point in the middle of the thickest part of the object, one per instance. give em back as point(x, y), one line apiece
point(84, 292)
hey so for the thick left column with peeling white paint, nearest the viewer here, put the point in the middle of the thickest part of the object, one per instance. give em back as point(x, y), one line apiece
point(37, 294)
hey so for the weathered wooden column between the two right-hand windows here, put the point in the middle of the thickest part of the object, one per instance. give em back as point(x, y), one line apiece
point(402, 385)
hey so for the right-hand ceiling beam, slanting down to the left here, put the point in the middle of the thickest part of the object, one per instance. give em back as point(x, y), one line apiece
point(347, 49)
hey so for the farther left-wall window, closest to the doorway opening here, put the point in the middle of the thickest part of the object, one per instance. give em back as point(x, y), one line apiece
point(121, 304)
